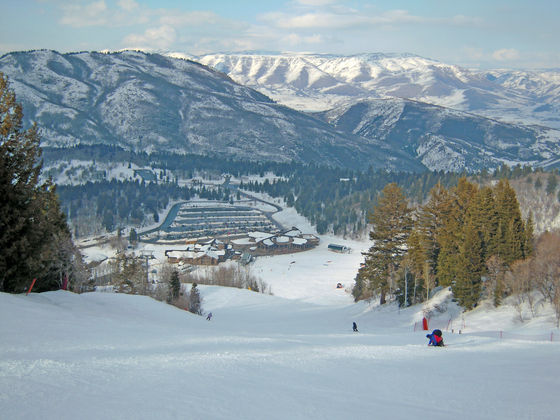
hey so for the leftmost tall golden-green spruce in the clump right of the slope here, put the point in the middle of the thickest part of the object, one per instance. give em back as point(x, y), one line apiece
point(391, 225)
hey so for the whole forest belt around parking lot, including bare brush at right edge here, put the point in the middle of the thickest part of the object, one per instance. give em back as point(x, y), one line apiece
point(335, 200)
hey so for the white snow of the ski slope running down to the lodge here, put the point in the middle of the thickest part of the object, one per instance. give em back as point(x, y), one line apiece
point(288, 356)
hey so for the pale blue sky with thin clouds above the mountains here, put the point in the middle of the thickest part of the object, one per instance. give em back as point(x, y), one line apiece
point(475, 33)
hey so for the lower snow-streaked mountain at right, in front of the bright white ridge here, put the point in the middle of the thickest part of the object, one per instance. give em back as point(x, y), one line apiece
point(445, 139)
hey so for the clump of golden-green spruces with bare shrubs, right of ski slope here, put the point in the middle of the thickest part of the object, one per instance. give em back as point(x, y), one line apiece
point(470, 238)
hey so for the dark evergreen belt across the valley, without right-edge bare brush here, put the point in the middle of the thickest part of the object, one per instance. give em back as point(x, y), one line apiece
point(333, 199)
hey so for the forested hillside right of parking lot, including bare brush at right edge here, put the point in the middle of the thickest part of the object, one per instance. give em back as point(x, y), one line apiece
point(339, 201)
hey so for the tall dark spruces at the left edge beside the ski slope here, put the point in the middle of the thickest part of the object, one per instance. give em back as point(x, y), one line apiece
point(34, 236)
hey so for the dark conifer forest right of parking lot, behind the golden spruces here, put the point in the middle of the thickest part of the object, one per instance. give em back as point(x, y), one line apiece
point(338, 200)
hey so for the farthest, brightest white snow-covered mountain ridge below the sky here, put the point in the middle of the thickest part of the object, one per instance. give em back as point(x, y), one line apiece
point(314, 82)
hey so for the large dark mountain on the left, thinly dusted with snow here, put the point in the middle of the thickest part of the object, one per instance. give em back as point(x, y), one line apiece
point(149, 102)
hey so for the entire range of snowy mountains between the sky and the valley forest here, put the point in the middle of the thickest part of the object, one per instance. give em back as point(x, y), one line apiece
point(151, 102)
